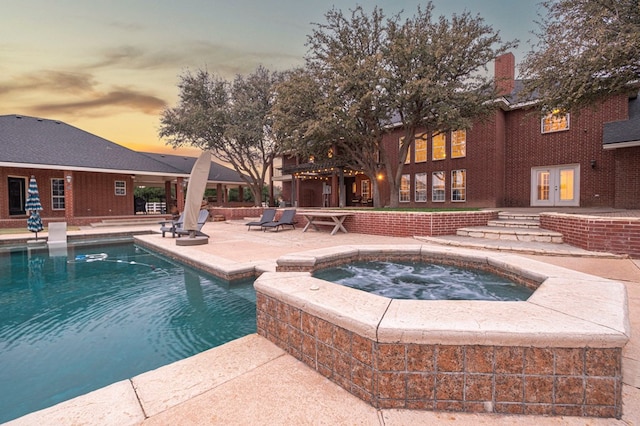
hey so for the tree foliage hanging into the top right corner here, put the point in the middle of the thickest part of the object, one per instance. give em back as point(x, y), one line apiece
point(587, 50)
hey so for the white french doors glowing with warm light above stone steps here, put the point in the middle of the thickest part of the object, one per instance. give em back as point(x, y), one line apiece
point(555, 186)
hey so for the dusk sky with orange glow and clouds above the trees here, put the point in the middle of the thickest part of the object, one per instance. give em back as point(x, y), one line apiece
point(110, 67)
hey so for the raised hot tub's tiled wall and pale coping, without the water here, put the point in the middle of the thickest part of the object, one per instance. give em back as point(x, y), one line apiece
point(558, 353)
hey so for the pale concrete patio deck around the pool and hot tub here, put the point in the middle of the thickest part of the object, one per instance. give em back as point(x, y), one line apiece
point(234, 383)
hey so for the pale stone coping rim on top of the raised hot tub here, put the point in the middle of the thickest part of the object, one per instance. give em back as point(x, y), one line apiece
point(569, 308)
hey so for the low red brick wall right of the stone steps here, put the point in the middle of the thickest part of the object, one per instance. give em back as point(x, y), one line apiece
point(613, 235)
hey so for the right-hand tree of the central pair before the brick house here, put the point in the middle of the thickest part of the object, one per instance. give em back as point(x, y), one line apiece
point(438, 81)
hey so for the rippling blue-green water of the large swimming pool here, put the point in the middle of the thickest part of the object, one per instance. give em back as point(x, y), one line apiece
point(72, 324)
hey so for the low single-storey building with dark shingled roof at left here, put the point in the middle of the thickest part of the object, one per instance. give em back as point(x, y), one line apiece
point(82, 178)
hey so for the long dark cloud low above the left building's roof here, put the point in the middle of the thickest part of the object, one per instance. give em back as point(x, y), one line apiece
point(118, 98)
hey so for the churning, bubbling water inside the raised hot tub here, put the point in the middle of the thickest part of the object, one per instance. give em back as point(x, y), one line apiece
point(424, 281)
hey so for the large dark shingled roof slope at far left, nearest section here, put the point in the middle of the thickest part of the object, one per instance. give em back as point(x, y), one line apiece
point(37, 141)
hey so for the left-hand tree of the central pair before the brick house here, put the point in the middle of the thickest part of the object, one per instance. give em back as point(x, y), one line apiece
point(336, 101)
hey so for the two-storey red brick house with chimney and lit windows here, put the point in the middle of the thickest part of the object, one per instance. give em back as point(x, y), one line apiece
point(513, 159)
